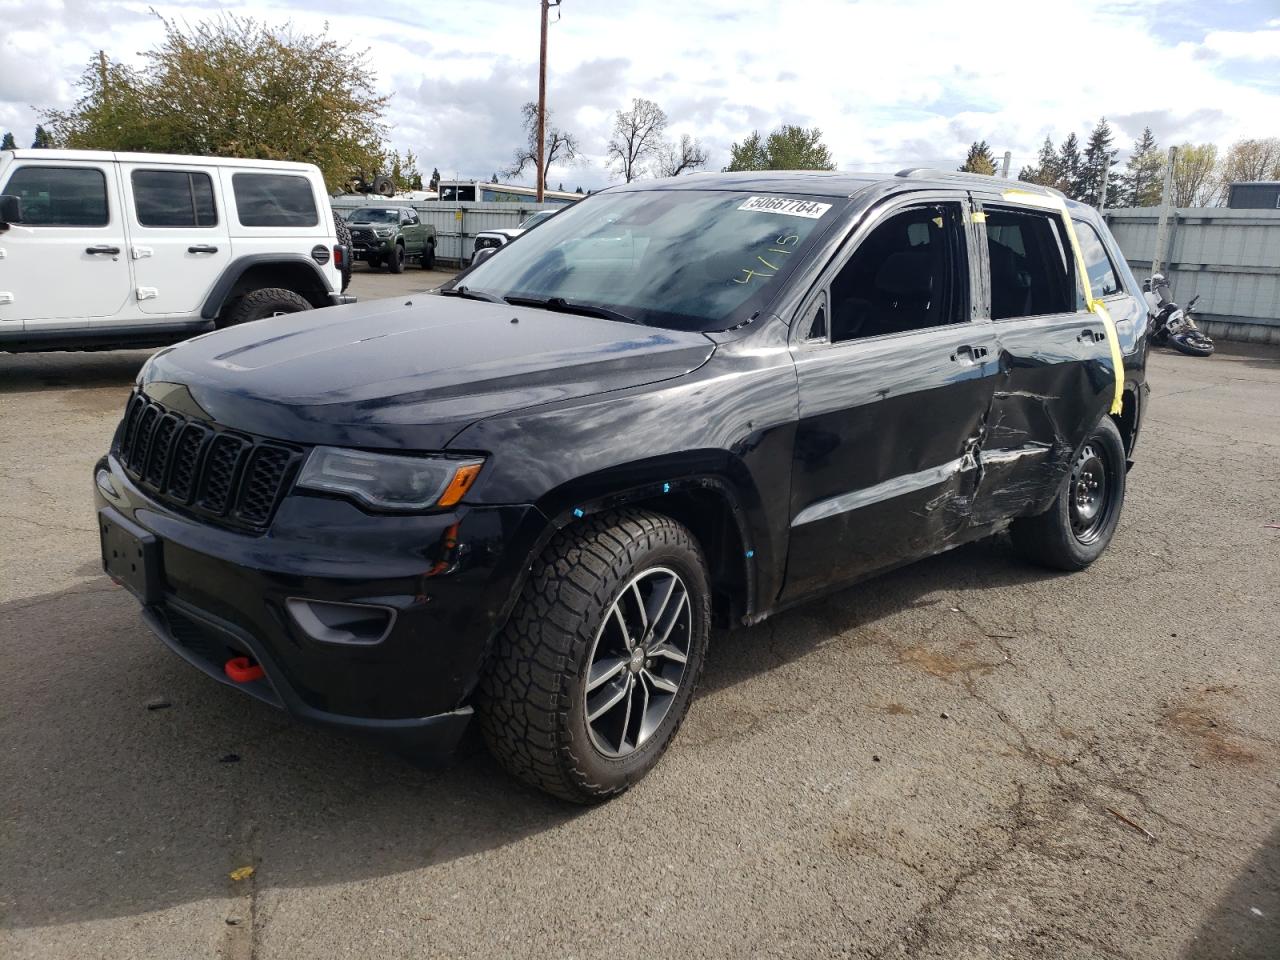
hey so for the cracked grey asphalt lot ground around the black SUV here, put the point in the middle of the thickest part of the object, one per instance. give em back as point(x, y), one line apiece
point(926, 766)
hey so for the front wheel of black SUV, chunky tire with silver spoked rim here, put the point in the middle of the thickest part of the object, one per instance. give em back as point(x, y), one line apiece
point(597, 666)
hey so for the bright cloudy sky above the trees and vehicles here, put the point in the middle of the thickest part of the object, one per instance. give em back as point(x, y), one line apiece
point(890, 83)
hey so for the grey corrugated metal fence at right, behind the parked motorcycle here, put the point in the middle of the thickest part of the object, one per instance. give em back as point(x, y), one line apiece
point(1231, 258)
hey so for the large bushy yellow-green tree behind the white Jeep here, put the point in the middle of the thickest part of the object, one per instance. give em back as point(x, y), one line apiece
point(235, 88)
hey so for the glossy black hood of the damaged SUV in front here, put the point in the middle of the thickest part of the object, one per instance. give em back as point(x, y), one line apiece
point(408, 376)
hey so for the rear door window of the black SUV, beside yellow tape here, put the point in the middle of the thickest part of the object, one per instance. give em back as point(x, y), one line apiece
point(1031, 272)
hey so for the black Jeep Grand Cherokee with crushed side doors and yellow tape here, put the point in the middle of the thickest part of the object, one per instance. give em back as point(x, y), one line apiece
point(676, 403)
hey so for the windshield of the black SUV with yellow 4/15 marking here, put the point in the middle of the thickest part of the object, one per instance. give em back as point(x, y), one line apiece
point(689, 260)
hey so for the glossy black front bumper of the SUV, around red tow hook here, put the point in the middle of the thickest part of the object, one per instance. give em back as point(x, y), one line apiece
point(449, 578)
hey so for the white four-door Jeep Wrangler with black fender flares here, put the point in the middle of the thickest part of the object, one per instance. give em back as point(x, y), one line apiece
point(102, 250)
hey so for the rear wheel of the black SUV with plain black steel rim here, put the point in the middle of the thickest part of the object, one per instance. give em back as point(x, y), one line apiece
point(1077, 529)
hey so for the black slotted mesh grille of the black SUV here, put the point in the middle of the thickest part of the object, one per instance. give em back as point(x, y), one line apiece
point(230, 478)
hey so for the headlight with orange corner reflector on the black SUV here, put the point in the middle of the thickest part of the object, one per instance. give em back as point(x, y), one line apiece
point(386, 482)
